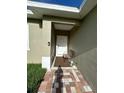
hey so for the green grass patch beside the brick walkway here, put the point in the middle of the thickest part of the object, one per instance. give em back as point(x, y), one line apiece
point(35, 75)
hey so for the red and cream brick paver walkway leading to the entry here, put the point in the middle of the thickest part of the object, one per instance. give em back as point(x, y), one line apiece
point(71, 82)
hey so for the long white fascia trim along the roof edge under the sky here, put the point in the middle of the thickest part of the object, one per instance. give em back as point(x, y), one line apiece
point(52, 6)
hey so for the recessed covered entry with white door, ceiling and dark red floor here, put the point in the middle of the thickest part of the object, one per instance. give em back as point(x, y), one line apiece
point(61, 34)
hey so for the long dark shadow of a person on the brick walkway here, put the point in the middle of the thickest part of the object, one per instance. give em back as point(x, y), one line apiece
point(57, 85)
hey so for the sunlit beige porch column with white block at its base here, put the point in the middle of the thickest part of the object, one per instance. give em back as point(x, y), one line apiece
point(46, 44)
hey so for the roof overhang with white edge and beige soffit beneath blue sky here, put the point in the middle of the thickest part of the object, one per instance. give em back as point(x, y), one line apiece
point(38, 10)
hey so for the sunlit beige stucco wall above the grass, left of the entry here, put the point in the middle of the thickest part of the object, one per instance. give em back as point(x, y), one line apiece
point(39, 36)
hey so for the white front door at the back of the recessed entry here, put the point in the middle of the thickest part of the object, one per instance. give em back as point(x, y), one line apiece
point(61, 45)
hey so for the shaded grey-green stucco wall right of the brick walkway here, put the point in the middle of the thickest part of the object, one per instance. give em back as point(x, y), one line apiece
point(84, 42)
